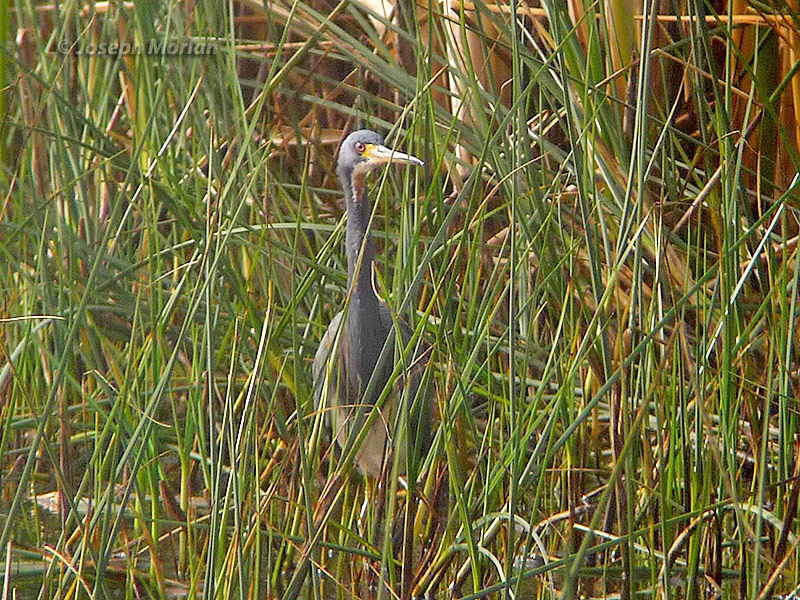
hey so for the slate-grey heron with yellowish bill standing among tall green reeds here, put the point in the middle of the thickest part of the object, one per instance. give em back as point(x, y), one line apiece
point(351, 382)
